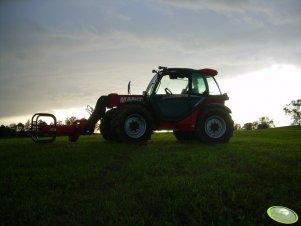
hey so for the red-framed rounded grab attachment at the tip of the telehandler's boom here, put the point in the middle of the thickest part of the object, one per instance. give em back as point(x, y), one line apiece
point(41, 132)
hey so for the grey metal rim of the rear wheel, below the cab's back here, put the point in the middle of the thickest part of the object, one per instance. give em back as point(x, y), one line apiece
point(215, 127)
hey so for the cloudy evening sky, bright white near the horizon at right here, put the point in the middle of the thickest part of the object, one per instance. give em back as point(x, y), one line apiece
point(60, 56)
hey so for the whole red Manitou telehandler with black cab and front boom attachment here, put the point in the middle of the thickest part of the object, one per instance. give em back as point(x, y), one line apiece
point(187, 101)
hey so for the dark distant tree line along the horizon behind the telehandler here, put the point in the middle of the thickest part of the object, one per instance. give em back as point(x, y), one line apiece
point(293, 110)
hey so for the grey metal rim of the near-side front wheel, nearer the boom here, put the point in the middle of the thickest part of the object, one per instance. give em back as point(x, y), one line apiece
point(135, 126)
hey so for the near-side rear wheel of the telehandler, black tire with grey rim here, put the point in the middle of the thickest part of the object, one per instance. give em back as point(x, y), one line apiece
point(215, 126)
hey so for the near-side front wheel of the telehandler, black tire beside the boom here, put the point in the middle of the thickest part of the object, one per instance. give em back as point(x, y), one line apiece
point(132, 123)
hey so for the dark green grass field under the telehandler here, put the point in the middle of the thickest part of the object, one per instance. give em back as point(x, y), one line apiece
point(165, 182)
